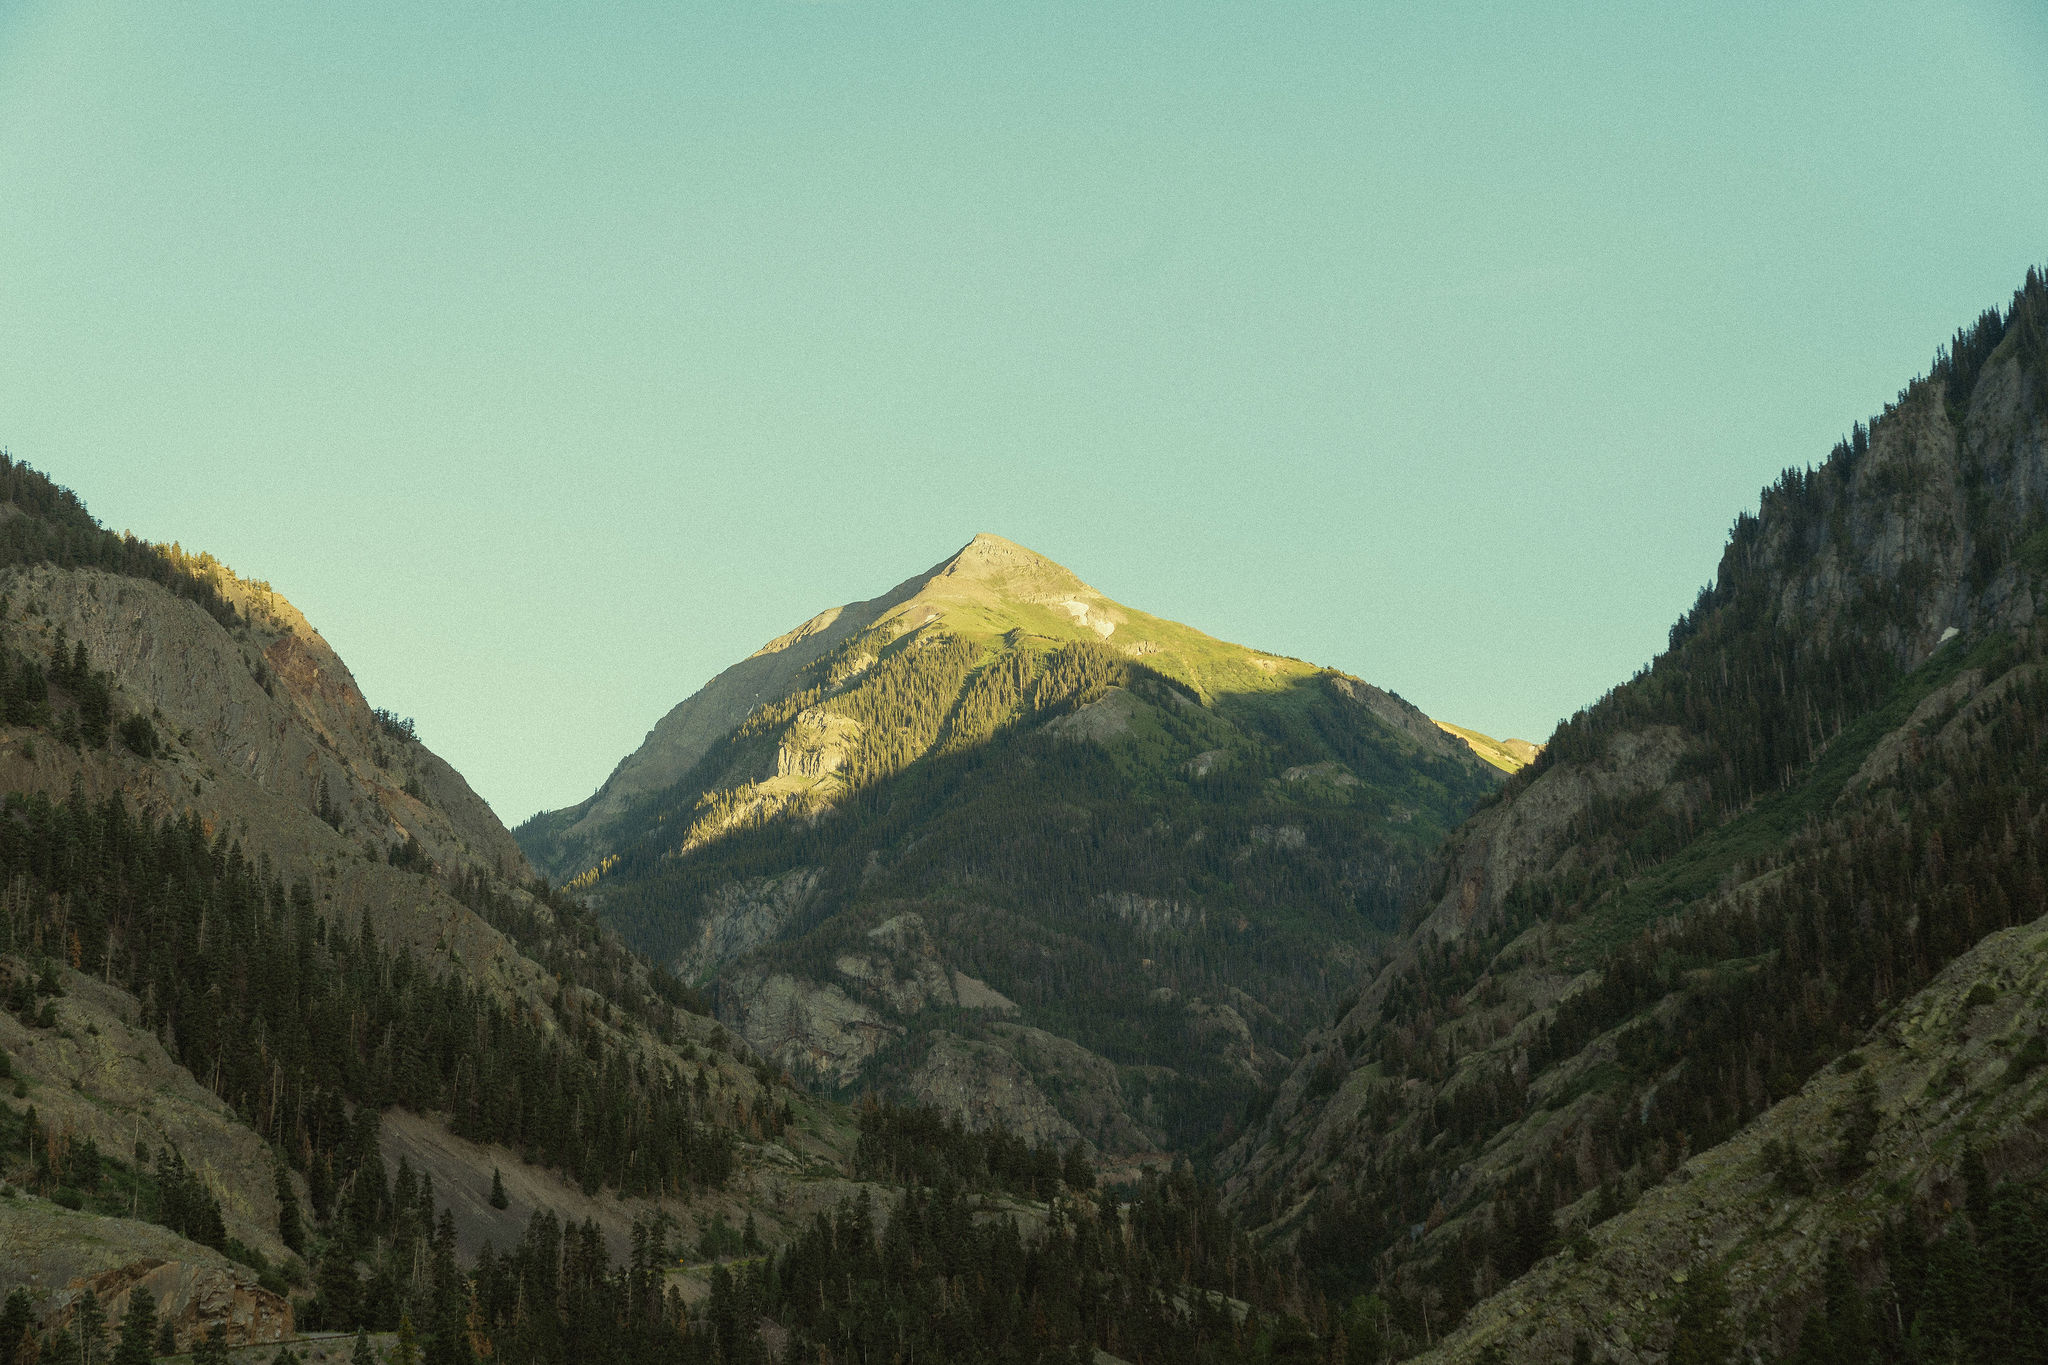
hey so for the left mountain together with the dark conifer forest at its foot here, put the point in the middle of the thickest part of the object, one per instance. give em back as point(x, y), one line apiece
point(294, 1039)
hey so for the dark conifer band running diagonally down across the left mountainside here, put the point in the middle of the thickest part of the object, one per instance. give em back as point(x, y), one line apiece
point(302, 1026)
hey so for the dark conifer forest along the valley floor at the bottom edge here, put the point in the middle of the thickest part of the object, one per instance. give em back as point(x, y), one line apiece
point(1154, 1274)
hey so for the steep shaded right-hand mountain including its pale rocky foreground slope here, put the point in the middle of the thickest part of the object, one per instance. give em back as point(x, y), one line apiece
point(1723, 1022)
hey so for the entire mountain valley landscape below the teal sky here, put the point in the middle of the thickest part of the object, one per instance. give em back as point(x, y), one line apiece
point(990, 971)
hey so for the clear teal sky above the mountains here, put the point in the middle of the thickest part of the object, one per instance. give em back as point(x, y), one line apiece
point(556, 357)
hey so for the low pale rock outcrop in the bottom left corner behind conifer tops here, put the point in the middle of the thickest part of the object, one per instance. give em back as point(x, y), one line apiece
point(56, 1256)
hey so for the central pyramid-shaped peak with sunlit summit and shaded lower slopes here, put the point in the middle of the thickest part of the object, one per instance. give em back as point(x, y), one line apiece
point(998, 844)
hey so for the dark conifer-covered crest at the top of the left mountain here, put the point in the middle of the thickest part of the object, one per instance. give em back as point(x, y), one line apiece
point(48, 525)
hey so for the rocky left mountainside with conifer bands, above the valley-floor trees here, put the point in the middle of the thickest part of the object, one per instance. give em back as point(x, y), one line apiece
point(261, 946)
